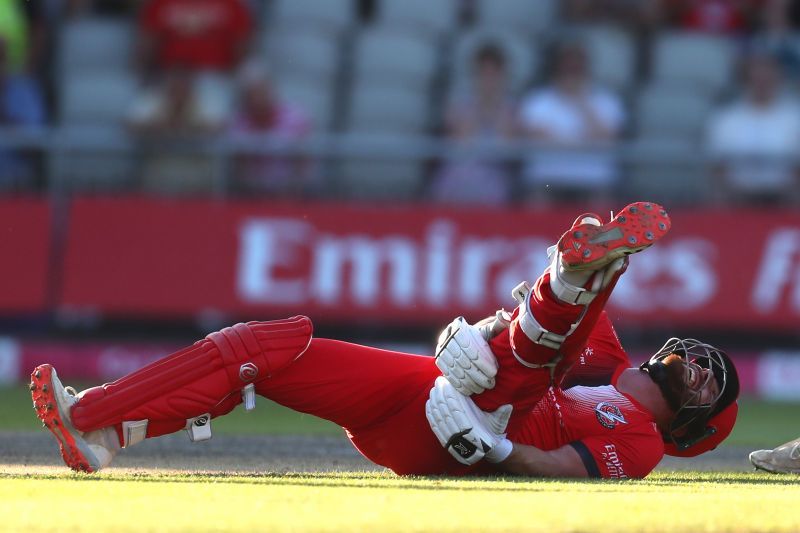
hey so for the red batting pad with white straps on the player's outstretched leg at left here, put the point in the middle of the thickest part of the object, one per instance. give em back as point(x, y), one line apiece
point(188, 388)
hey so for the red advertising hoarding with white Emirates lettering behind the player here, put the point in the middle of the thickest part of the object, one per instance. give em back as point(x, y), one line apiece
point(412, 264)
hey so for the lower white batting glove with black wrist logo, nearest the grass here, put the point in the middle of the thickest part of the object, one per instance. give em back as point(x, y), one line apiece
point(465, 431)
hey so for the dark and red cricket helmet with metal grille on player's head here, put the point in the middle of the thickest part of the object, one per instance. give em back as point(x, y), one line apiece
point(697, 427)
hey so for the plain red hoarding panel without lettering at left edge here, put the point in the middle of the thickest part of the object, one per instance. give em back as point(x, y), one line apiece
point(25, 241)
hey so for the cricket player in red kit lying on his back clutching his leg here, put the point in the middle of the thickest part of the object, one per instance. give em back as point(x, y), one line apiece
point(502, 396)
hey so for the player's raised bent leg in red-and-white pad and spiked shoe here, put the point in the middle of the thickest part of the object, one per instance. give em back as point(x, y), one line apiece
point(556, 314)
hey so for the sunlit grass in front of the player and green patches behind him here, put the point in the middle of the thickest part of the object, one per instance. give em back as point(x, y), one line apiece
point(152, 500)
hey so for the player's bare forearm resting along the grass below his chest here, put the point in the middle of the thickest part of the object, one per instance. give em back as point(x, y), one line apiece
point(527, 460)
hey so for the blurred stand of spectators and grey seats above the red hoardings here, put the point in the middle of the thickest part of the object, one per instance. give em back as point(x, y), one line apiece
point(455, 101)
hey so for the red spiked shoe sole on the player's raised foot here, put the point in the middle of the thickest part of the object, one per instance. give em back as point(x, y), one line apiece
point(635, 228)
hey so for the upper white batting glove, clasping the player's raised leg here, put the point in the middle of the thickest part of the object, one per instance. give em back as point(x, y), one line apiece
point(465, 359)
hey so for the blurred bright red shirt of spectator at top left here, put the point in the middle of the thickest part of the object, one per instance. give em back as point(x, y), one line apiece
point(201, 35)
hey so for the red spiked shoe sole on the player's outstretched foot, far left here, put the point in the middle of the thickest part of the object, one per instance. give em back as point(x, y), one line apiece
point(55, 416)
